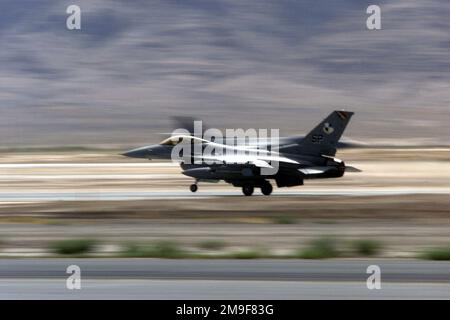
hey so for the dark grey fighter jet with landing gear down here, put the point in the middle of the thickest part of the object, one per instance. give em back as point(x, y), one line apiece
point(288, 164)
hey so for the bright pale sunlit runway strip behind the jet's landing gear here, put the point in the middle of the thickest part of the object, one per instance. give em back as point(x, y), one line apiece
point(115, 181)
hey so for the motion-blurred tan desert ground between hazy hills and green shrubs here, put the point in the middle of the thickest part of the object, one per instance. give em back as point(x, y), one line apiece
point(401, 199)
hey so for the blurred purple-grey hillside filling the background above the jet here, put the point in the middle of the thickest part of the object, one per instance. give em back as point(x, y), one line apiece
point(263, 64)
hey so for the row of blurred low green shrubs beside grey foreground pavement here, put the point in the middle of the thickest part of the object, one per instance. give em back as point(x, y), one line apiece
point(319, 248)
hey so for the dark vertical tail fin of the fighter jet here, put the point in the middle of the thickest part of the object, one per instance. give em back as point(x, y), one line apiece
point(325, 136)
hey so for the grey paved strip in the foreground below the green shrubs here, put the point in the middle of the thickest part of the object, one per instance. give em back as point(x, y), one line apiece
point(223, 279)
